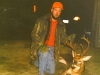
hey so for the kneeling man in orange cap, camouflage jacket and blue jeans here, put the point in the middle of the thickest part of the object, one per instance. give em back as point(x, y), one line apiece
point(48, 33)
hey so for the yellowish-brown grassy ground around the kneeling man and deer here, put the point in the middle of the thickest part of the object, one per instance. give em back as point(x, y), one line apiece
point(15, 56)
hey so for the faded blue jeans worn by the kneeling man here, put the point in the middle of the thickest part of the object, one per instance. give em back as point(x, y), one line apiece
point(46, 62)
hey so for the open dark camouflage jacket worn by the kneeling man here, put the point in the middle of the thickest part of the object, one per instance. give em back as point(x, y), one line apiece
point(41, 31)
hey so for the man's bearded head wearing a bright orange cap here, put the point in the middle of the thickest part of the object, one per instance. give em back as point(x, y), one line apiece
point(56, 9)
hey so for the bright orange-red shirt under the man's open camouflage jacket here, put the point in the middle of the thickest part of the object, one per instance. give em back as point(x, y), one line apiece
point(51, 38)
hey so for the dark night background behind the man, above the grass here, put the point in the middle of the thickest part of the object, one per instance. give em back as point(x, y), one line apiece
point(17, 17)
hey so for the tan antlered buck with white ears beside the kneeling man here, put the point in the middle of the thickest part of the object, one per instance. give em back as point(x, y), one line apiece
point(78, 64)
